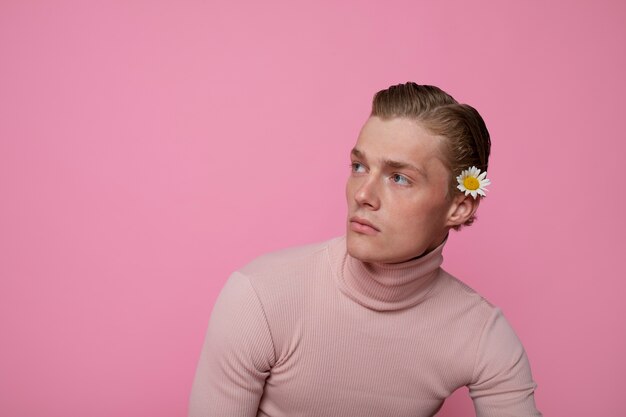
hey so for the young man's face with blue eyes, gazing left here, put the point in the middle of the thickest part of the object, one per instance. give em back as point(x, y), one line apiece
point(396, 192)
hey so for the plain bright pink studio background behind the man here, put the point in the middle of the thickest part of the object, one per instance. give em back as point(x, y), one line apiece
point(148, 149)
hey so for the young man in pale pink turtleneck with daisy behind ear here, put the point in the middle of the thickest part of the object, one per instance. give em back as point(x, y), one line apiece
point(368, 324)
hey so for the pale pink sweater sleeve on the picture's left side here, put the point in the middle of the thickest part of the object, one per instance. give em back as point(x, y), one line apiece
point(236, 357)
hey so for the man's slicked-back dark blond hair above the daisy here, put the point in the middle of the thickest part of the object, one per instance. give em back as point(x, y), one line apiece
point(467, 138)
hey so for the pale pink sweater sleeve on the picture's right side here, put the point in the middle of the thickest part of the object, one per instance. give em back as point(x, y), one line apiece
point(502, 384)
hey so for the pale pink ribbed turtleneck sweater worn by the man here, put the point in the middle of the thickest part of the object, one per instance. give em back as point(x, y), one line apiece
point(312, 331)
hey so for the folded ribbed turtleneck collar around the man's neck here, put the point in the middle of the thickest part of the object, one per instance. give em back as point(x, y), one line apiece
point(388, 287)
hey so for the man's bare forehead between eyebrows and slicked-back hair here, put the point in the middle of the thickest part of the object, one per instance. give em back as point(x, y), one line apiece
point(400, 139)
